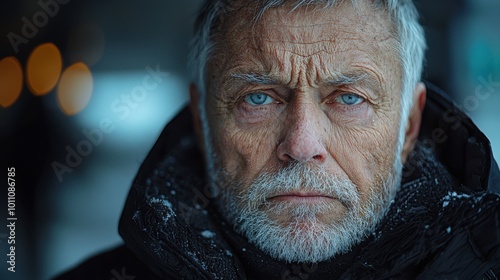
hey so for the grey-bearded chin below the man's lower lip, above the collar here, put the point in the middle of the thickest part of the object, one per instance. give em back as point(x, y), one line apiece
point(303, 239)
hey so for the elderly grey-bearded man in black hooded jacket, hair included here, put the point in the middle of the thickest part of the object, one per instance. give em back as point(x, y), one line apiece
point(319, 157)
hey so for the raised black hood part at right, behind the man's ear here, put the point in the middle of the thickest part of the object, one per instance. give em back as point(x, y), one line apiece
point(458, 144)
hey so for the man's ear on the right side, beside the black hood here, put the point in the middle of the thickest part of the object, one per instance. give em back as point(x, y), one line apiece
point(414, 121)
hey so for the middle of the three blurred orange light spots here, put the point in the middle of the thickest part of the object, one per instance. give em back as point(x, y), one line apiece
point(43, 69)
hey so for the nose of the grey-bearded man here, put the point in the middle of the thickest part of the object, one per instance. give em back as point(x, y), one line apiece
point(303, 139)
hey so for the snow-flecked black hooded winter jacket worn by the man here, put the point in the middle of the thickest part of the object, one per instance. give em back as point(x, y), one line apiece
point(443, 224)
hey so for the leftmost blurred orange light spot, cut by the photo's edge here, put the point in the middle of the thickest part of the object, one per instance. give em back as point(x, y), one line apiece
point(11, 80)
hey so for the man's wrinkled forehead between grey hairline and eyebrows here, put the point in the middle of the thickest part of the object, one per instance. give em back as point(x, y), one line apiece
point(335, 37)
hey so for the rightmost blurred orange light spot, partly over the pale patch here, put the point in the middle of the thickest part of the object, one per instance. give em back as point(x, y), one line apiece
point(75, 88)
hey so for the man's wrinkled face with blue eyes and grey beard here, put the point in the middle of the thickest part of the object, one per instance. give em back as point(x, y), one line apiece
point(304, 114)
